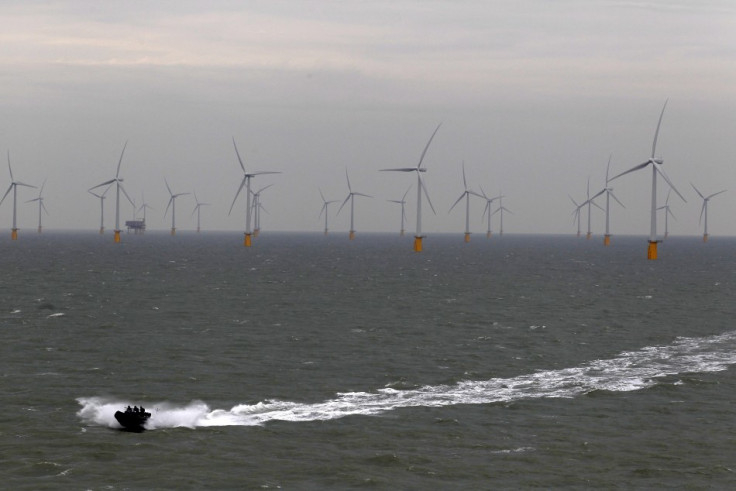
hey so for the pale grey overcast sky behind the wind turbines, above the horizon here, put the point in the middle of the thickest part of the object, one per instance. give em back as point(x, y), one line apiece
point(534, 96)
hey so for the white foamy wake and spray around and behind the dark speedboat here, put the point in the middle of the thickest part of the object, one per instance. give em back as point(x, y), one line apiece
point(629, 371)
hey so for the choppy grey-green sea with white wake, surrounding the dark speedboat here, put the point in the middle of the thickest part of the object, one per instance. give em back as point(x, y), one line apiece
point(313, 362)
